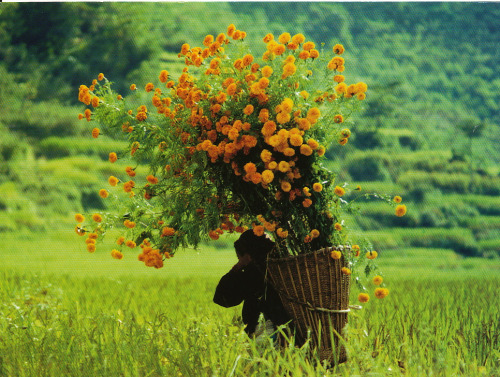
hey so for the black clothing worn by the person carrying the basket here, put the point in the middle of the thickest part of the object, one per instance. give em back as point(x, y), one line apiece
point(250, 286)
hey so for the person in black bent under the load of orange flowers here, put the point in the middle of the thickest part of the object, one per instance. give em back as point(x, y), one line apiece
point(246, 282)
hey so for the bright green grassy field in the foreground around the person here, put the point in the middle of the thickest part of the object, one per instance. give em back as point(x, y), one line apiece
point(65, 312)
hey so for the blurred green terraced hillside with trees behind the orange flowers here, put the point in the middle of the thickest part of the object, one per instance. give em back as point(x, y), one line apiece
point(429, 131)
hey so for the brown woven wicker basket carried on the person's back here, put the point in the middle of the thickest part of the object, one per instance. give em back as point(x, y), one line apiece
point(315, 293)
